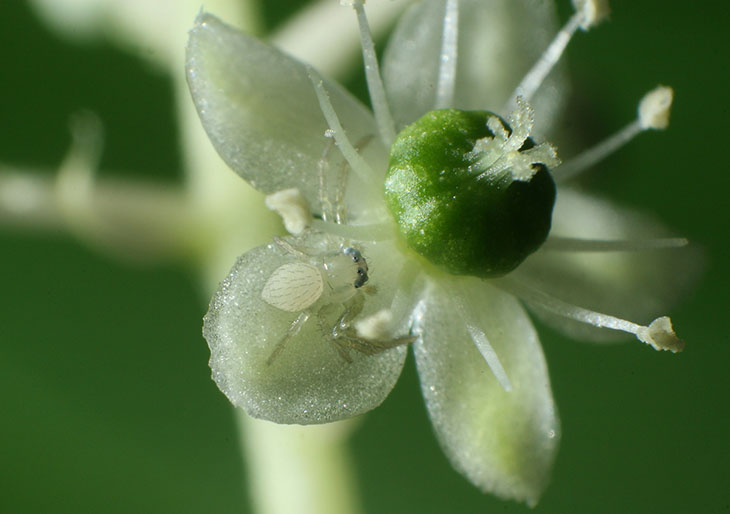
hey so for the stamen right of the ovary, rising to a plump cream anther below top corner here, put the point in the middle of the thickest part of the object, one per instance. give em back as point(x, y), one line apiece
point(653, 113)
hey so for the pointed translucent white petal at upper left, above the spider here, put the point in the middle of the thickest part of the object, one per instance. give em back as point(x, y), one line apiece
point(260, 110)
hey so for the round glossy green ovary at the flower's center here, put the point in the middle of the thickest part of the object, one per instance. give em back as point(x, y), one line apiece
point(457, 214)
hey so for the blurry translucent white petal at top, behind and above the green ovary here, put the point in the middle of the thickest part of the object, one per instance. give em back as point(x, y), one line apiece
point(499, 40)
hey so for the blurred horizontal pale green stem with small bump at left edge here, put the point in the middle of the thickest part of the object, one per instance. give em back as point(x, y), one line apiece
point(138, 220)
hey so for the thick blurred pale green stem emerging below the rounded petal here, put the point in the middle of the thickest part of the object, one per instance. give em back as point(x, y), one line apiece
point(302, 469)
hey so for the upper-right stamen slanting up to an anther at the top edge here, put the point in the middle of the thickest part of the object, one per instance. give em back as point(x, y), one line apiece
point(588, 13)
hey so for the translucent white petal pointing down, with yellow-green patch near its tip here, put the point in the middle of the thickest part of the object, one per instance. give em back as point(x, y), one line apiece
point(504, 442)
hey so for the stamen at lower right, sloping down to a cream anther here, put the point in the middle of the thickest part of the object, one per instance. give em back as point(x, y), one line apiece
point(659, 334)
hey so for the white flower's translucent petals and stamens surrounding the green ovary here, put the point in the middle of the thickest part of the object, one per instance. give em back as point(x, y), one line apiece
point(314, 328)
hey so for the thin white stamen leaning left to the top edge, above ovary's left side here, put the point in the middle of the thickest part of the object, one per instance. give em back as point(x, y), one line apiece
point(381, 109)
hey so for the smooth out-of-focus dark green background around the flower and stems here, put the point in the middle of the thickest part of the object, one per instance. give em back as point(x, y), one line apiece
point(106, 402)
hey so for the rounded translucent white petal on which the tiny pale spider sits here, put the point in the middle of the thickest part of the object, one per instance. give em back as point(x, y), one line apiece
point(308, 381)
